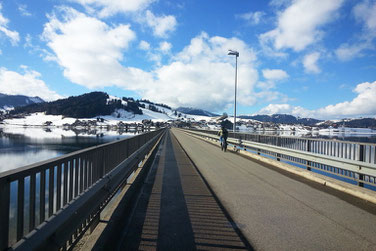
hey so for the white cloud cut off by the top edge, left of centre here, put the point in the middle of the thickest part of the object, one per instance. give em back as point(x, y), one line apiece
point(109, 8)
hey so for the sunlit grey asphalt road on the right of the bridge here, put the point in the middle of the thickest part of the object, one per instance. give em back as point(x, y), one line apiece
point(277, 211)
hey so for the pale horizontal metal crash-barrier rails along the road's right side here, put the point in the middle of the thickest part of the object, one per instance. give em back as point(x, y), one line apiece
point(360, 171)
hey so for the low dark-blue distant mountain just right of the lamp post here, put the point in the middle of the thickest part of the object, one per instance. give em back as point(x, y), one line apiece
point(282, 119)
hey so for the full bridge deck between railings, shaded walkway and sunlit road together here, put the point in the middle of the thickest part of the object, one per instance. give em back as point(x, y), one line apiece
point(274, 210)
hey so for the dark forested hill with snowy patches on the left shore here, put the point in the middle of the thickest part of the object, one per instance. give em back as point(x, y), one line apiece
point(88, 105)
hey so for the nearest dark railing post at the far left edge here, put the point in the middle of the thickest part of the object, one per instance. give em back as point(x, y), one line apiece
point(4, 213)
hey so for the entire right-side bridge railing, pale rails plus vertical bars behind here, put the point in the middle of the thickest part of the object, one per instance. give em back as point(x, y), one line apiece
point(344, 159)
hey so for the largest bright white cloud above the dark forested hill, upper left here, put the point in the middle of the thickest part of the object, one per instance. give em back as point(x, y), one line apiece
point(89, 50)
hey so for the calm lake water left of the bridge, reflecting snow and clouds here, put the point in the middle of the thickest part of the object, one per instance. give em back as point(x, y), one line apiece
point(23, 146)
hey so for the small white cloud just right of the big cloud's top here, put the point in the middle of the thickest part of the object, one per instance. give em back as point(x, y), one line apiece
point(162, 25)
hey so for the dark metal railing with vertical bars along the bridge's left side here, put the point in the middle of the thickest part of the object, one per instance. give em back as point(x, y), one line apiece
point(53, 202)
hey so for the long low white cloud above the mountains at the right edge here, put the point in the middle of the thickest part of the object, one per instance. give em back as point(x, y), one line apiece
point(364, 104)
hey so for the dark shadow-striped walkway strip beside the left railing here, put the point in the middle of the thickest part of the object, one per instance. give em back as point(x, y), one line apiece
point(176, 210)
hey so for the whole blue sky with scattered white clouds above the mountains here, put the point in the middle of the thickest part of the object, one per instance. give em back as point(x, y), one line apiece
point(308, 58)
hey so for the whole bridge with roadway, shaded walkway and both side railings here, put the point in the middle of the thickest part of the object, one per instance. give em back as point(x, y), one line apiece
point(174, 189)
